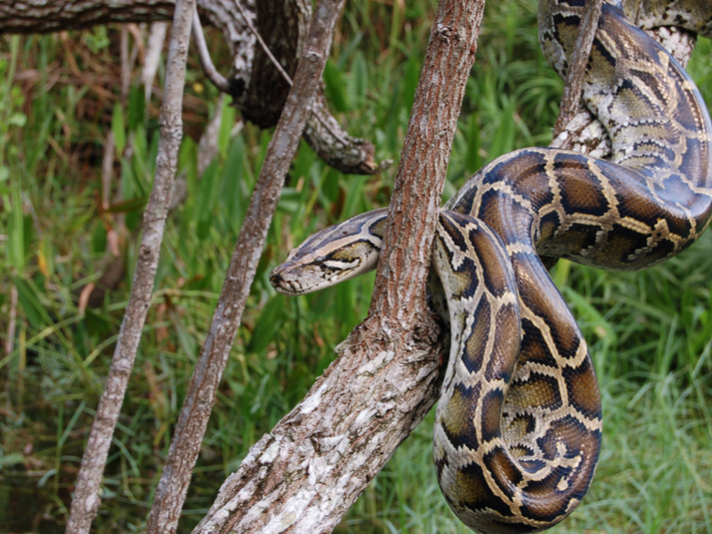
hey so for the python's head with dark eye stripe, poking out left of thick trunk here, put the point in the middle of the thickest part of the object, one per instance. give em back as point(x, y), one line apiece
point(332, 255)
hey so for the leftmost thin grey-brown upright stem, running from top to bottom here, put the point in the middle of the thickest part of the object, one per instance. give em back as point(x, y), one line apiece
point(85, 503)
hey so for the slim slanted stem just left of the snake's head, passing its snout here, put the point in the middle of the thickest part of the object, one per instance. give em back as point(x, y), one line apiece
point(199, 400)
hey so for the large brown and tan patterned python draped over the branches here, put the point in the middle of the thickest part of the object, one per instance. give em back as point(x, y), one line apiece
point(518, 425)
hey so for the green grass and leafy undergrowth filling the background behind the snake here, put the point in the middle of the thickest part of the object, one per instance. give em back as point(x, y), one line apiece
point(650, 332)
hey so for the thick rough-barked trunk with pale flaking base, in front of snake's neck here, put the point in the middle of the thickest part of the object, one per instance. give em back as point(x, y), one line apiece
point(304, 475)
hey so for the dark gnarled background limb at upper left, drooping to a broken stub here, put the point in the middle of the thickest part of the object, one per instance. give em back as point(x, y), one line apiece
point(256, 86)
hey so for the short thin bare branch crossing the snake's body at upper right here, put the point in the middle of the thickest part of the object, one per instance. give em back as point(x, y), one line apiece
point(573, 87)
